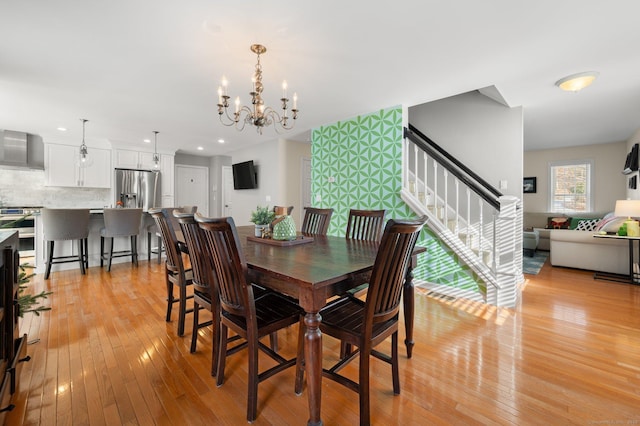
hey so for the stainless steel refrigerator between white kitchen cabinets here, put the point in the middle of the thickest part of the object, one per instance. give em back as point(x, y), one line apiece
point(137, 188)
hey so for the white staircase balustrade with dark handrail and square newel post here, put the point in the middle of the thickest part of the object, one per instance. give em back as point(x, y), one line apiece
point(479, 224)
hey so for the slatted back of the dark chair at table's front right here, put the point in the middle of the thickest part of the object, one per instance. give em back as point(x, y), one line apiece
point(390, 268)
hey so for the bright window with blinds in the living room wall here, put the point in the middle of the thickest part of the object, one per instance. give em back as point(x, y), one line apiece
point(571, 189)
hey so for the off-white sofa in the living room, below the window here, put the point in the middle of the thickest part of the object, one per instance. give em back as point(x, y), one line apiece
point(579, 249)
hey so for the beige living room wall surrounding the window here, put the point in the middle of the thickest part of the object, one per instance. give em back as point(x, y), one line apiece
point(609, 184)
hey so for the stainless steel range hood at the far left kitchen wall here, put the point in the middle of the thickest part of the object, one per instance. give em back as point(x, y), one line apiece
point(21, 150)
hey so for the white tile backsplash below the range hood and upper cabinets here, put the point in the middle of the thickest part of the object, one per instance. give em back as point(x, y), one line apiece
point(25, 187)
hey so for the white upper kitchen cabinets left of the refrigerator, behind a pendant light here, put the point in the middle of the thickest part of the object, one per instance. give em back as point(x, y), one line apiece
point(63, 169)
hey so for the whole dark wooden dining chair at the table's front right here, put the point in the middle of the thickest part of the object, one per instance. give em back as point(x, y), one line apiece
point(366, 324)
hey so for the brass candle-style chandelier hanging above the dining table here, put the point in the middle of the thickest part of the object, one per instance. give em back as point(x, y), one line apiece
point(257, 114)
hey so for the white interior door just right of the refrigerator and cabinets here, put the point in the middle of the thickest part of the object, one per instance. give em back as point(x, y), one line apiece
point(192, 187)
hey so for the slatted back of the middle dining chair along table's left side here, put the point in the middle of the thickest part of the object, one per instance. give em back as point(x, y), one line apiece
point(201, 264)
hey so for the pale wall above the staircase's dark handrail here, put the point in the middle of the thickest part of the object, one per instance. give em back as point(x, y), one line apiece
point(484, 135)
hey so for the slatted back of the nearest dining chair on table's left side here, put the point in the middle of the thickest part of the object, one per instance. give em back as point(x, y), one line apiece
point(229, 265)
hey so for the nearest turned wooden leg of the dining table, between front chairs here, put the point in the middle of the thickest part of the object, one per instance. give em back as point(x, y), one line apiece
point(313, 365)
